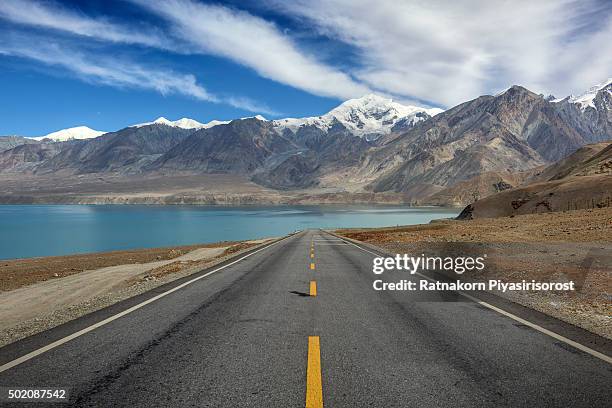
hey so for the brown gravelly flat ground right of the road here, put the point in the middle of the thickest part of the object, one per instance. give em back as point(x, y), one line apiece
point(552, 247)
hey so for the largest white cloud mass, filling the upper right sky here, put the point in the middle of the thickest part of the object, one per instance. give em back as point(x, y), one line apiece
point(448, 51)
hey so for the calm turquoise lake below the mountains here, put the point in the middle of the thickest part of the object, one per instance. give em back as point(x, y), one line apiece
point(44, 230)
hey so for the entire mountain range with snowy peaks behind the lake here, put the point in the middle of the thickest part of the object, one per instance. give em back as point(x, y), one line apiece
point(370, 146)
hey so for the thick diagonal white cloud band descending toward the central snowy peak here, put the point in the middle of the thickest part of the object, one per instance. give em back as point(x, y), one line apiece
point(255, 43)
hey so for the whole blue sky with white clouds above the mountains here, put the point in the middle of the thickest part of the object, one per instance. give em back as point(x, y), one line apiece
point(109, 64)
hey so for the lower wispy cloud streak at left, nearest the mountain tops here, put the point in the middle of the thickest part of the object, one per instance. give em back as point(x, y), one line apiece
point(117, 72)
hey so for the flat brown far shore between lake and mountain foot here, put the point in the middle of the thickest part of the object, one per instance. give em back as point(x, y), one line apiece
point(183, 189)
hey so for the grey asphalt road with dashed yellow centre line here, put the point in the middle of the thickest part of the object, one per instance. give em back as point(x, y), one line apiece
point(246, 336)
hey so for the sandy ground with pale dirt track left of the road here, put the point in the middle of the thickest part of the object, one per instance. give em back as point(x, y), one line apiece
point(39, 298)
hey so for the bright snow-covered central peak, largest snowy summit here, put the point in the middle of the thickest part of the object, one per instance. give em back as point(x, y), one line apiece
point(369, 116)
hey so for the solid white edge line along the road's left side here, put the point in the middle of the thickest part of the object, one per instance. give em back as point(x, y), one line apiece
point(101, 323)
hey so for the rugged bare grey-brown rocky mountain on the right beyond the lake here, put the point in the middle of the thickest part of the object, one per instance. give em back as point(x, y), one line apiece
point(512, 132)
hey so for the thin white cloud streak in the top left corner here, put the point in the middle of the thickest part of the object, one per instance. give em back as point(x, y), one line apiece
point(53, 16)
